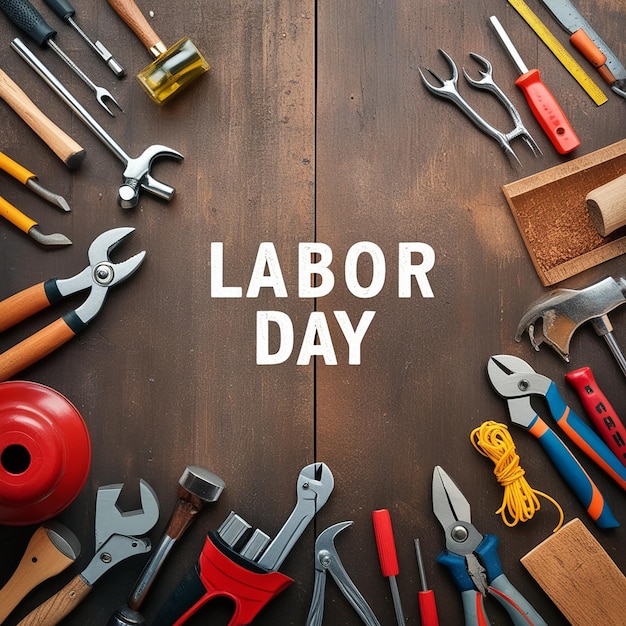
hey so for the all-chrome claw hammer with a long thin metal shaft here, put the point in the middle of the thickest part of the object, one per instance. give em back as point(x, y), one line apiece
point(137, 172)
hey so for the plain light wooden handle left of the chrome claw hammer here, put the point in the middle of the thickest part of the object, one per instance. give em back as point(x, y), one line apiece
point(68, 150)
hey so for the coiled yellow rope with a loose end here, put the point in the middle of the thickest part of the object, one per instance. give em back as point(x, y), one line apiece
point(520, 501)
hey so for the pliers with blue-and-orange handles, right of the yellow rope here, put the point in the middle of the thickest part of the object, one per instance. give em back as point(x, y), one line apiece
point(516, 381)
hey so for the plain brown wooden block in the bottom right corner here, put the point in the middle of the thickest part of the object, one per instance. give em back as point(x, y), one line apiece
point(579, 576)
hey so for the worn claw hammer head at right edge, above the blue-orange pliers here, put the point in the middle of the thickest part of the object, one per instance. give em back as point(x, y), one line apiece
point(562, 311)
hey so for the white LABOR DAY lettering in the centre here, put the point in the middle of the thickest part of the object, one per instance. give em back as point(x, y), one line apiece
point(316, 279)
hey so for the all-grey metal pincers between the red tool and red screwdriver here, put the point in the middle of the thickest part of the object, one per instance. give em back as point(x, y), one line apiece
point(327, 560)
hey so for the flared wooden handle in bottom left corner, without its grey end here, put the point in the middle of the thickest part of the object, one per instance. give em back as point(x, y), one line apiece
point(41, 561)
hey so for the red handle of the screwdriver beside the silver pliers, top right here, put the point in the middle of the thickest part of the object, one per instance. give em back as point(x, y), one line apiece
point(547, 112)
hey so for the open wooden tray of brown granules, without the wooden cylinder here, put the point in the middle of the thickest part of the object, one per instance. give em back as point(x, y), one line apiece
point(550, 211)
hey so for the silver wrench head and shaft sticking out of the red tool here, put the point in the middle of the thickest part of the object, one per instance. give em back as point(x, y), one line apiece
point(315, 484)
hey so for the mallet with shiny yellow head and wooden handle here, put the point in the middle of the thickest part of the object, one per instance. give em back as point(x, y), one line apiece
point(173, 68)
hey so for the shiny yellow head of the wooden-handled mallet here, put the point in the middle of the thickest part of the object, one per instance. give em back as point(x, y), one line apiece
point(171, 72)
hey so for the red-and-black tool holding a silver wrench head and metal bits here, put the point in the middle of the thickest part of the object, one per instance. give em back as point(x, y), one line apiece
point(237, 563)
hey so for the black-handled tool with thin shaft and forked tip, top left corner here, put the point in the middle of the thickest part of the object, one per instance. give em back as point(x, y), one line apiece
point(26, 17)
